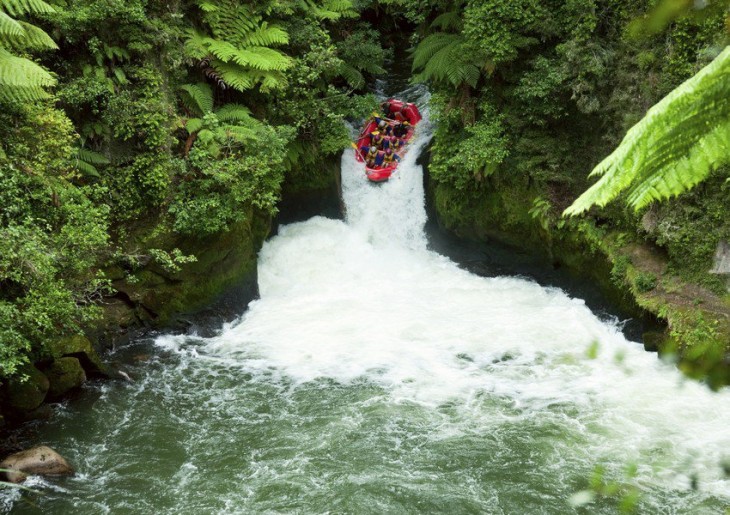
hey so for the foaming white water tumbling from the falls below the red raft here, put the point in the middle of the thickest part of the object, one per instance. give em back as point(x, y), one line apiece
point(364, 300)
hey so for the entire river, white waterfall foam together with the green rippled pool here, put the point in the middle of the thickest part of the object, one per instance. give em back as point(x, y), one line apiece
point(376, 376)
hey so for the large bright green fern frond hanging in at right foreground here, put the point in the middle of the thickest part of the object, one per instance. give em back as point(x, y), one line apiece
point(679, 142)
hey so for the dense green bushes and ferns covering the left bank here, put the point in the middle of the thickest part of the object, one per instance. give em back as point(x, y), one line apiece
point(178, 118)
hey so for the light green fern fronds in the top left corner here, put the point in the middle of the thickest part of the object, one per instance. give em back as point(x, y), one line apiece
point(21, 80)
